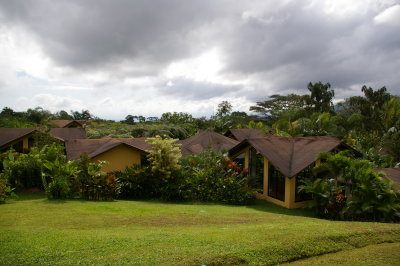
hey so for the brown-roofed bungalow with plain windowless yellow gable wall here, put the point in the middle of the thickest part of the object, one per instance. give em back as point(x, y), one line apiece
point(119, 153)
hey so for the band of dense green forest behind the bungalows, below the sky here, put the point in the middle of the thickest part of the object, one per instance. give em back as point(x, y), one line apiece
point(368, 123)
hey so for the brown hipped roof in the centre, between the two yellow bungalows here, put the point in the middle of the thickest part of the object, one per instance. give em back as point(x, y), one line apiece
point(206, 139)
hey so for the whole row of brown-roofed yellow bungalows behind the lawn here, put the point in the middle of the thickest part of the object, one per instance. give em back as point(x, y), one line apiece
point(276, 163)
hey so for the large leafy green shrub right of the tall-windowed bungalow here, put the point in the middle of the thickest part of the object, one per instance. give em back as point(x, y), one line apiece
point(354, 191)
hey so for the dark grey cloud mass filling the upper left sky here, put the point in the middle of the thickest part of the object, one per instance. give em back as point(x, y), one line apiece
point(91, 33)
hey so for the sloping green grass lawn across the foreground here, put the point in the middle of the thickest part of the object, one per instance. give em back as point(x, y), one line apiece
point(34, 230)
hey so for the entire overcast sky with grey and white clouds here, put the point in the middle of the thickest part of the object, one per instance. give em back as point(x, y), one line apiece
point(120, 57)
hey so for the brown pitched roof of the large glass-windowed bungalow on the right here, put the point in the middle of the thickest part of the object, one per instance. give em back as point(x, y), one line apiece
point(290, 155)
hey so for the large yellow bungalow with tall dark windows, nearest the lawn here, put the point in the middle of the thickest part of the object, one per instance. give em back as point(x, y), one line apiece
point(279, 163)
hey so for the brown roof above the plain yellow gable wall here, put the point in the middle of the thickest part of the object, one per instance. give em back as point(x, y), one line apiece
point(93, 147)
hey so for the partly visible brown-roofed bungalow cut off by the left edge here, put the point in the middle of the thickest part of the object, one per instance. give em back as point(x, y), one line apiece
point(21, 139)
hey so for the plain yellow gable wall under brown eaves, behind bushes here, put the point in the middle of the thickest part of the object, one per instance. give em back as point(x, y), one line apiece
point(119, 158)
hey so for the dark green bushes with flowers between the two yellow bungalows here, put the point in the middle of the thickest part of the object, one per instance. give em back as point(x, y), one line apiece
point(208, 176)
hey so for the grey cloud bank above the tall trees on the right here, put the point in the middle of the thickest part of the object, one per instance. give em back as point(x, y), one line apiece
point(299, 44)
